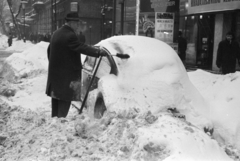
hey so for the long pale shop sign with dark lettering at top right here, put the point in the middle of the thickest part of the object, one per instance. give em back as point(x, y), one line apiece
point(201, 6)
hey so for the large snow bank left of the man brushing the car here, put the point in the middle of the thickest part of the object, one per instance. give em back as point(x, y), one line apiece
point(30, 62)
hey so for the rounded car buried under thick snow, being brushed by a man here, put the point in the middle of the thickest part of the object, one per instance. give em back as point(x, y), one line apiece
point(152, 79)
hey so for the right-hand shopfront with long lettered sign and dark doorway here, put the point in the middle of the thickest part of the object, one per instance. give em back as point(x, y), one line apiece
point(205, 24)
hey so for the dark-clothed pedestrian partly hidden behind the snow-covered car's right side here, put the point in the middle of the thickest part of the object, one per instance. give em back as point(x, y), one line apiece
point(182, 47)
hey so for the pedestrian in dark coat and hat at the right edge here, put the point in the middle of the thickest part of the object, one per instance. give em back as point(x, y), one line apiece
point(227, 54)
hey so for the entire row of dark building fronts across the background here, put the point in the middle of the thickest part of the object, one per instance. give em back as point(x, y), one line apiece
point(203, 23)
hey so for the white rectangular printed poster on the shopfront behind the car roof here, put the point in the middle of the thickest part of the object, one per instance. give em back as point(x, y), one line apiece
point(164, 26)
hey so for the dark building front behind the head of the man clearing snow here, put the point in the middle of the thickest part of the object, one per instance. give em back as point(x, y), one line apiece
point(89, 12)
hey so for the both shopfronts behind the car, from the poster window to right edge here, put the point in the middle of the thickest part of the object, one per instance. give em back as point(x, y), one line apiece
point(203, 23)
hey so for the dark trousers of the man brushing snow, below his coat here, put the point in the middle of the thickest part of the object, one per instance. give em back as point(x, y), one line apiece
point(60, 108)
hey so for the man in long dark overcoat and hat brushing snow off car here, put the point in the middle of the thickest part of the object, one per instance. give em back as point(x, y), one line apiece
point(64, 71)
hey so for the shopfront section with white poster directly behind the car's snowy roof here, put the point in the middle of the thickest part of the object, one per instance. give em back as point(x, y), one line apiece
point(151, 18)
